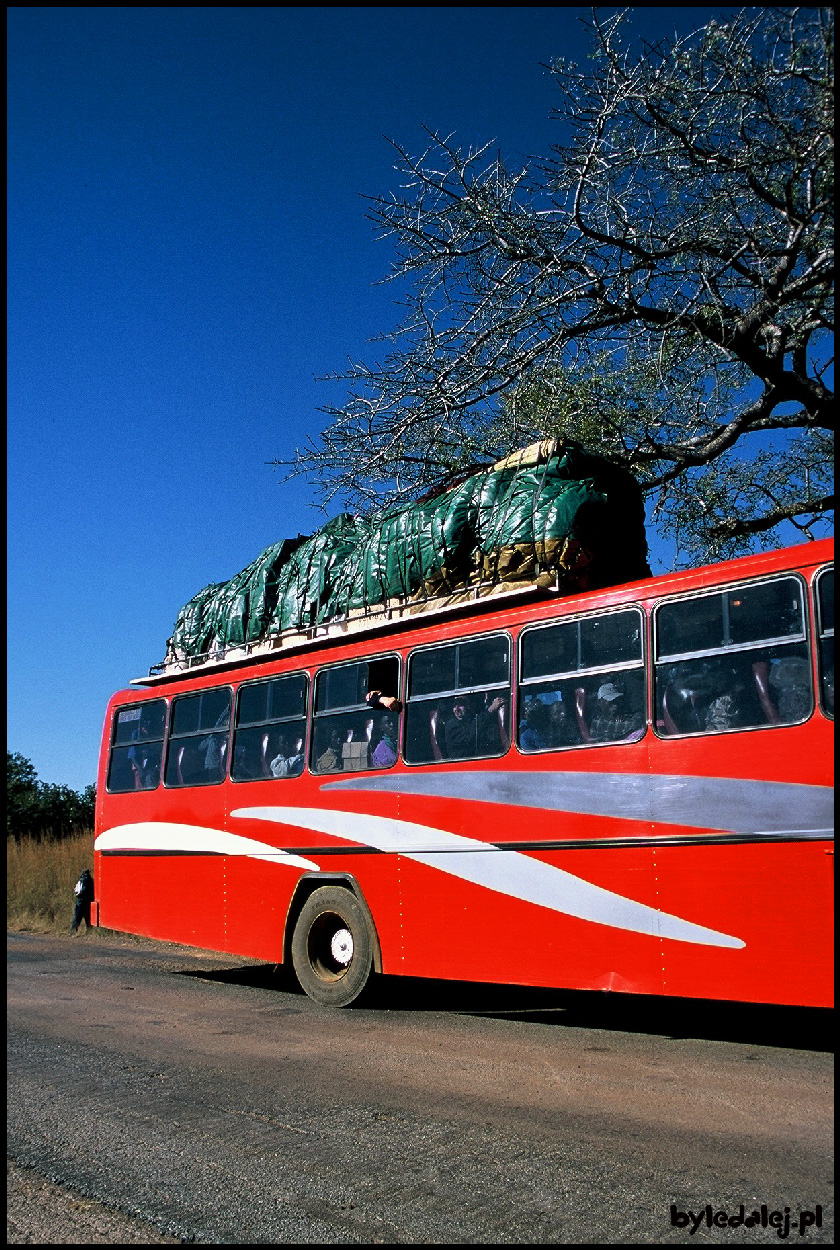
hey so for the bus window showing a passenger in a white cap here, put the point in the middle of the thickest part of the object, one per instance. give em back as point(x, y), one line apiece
point(583, 682)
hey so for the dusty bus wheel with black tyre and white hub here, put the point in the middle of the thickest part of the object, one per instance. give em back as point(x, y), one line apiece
point(332, 947)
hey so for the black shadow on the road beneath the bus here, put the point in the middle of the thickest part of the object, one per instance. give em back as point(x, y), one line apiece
point(754, 1024)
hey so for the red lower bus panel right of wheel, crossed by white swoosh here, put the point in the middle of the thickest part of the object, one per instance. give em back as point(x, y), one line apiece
point(458, 931)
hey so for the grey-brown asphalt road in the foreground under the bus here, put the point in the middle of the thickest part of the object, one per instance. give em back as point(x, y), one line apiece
point(199, 1098)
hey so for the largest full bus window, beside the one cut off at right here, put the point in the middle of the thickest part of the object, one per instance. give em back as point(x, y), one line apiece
point(752, 668)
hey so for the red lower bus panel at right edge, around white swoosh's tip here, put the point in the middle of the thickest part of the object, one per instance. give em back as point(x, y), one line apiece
point(777, 898)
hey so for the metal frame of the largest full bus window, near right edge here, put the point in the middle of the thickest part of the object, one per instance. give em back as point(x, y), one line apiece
point(732, 649)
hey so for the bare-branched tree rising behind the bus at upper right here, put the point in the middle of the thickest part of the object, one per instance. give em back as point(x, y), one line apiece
point(659, 288)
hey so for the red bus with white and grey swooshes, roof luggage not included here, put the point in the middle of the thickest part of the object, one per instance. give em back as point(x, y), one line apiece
point(627, 789)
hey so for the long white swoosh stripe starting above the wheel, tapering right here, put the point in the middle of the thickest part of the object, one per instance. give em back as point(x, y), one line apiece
point(511, 873)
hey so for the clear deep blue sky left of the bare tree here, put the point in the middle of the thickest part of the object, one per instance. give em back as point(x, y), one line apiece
point(188, 252)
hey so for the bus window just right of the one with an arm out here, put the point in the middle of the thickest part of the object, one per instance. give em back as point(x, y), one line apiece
point(459, 699)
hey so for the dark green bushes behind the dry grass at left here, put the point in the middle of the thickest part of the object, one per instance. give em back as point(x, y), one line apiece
point(39, 809)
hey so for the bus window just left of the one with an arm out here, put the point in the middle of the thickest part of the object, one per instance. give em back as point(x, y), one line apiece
point(271, 729)
